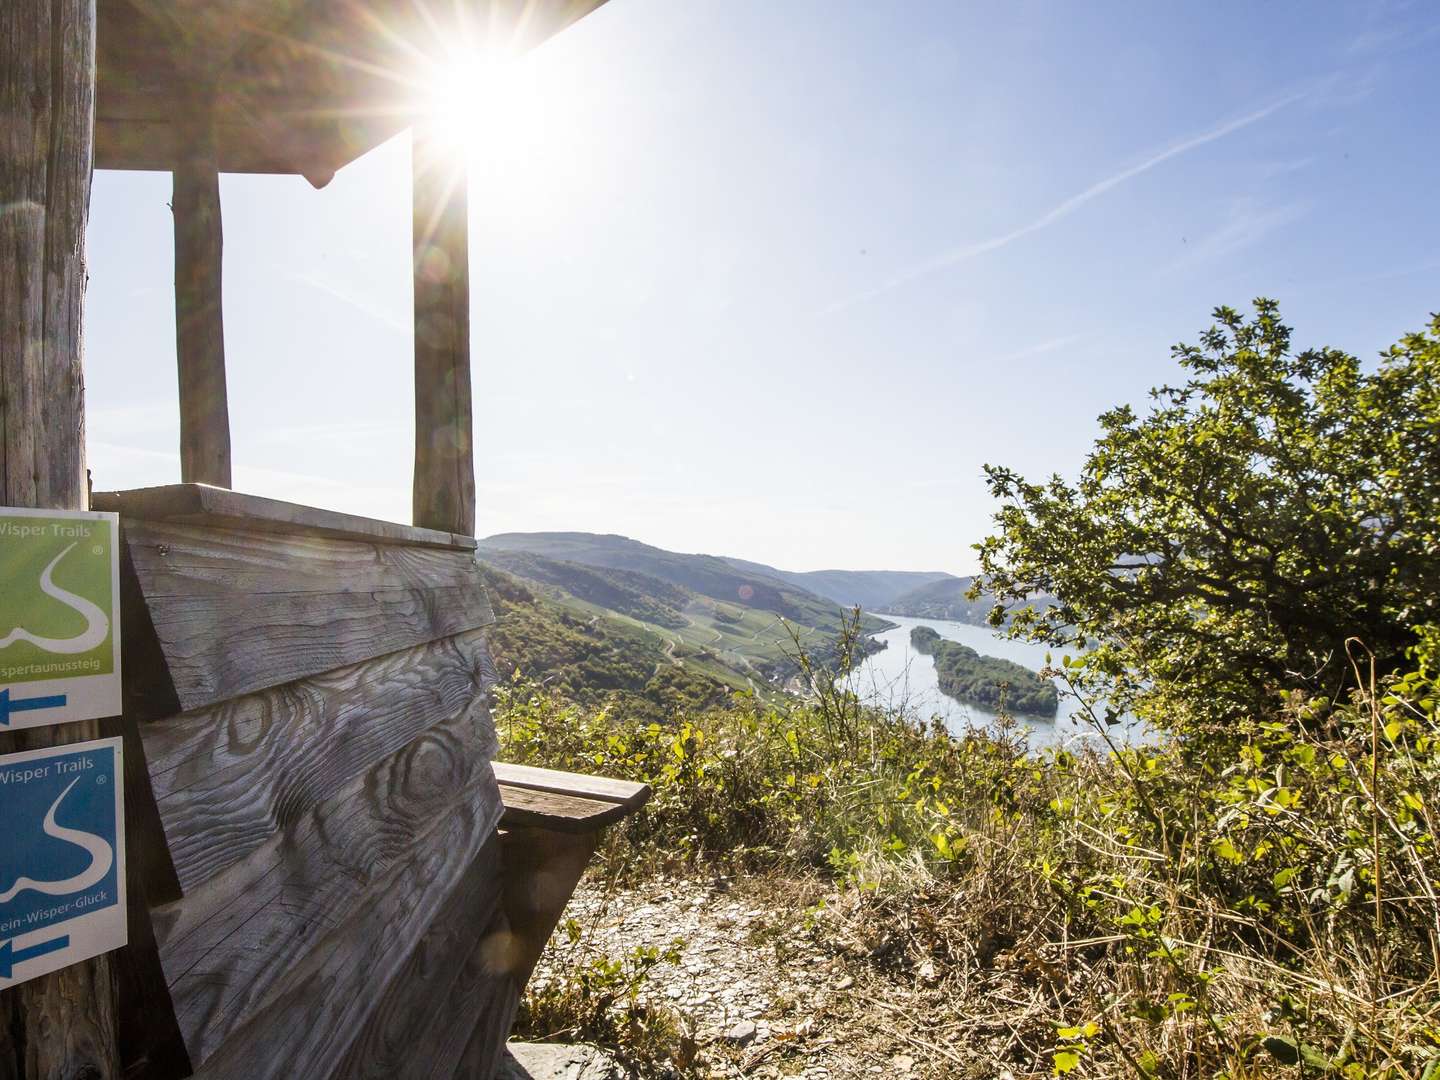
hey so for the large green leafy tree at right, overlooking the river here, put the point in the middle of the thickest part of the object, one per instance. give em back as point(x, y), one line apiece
point(1232, 541)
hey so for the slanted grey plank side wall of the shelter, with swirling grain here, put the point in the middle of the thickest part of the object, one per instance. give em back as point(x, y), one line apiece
point(316, 817)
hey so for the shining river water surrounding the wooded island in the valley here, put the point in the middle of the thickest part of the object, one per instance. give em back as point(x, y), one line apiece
point(899, 678)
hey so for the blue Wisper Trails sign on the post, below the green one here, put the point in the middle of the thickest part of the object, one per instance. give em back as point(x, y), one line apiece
point(63, 866)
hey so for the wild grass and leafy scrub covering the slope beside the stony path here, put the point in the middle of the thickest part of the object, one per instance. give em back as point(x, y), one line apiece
point(1252, 902)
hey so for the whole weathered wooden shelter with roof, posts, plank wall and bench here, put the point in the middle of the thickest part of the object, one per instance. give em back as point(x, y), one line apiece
point(329, 873)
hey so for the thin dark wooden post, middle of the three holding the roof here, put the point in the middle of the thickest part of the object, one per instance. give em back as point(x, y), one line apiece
point(205, 415)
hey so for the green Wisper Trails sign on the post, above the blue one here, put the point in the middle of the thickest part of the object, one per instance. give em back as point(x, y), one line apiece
point(60, 617)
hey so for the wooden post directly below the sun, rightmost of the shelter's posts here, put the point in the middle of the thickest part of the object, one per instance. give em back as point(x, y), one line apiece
point(444, 459)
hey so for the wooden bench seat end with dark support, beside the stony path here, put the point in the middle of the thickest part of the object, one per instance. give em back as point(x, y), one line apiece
point(549, 827)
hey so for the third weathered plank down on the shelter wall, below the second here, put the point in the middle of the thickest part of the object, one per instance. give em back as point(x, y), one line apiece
point(273, 964)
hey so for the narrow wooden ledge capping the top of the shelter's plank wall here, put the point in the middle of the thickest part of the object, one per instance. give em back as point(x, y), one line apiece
point(224, 509)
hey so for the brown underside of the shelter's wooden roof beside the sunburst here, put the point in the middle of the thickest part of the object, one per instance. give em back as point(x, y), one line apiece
point(300, 86)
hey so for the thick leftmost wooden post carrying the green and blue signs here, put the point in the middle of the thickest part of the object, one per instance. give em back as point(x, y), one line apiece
point(58, 1026)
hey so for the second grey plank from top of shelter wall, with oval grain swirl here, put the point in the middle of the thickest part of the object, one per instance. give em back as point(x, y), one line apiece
point(231, 777)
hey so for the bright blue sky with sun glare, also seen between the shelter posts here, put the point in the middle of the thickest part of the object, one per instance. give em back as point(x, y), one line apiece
point(774, 280)
